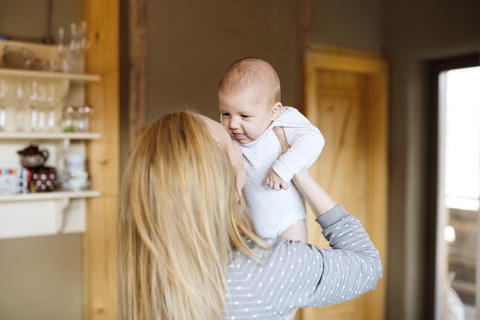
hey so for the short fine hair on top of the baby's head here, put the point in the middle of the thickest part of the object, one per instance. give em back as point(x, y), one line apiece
point(251, 72)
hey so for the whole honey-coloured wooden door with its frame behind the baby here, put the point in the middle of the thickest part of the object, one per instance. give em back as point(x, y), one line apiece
point(346, 100)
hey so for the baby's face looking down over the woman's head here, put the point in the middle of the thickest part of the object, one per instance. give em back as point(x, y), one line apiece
point(246, 115)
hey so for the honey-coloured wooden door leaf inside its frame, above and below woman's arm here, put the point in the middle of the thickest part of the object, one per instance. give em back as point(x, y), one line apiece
point(341, 168)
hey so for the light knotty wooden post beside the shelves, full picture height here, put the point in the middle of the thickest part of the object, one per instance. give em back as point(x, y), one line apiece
point(102, 18)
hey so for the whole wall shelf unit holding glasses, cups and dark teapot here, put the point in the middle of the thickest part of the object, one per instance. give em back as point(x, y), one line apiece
point(44, 120)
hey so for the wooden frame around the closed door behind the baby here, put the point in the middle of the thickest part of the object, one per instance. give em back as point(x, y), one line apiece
point(371, 64)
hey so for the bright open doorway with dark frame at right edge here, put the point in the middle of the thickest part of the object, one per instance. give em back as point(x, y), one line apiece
point(455, 187)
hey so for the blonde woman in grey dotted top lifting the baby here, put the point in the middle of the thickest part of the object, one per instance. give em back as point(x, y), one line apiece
point(187, 247)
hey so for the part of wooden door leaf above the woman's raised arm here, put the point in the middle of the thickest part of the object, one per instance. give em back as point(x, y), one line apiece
point(342, 166)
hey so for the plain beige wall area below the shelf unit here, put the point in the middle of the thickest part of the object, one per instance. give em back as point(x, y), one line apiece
point(41, 278)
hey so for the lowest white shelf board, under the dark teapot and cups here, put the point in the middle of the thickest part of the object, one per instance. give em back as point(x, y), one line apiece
point(58, 195)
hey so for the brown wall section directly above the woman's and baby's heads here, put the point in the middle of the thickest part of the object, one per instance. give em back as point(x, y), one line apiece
point(191, 43)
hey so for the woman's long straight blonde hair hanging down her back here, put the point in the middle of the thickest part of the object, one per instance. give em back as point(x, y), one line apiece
point(179, 221)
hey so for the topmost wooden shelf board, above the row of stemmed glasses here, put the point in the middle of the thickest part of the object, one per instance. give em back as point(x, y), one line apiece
point(75, 77)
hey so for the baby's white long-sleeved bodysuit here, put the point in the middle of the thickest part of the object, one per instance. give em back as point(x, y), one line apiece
point(274, 211)
